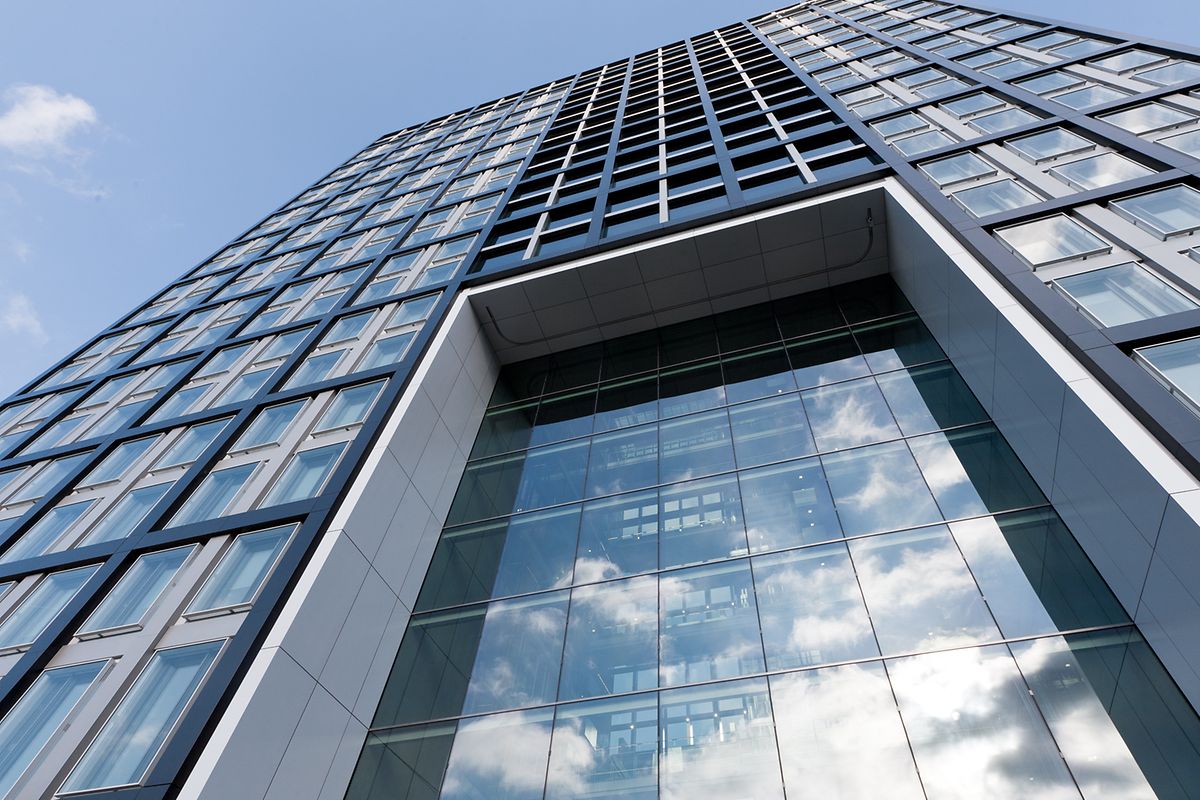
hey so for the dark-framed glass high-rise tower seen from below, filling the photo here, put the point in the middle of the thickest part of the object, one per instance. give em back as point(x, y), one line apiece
point(808, 410)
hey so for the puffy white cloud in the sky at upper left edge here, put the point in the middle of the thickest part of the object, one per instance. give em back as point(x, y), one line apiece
point(40, 122)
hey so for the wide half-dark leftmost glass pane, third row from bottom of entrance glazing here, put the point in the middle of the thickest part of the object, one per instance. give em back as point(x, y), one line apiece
point(508, 557)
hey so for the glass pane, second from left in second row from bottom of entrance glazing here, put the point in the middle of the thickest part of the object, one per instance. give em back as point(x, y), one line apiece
point(613, 640)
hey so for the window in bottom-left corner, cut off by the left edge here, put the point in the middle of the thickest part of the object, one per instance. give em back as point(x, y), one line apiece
point(38, 717)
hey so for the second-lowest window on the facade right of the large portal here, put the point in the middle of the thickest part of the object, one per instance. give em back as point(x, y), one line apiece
point(1125, 293)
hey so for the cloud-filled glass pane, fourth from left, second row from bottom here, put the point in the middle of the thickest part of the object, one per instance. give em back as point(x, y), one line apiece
point(811, 609)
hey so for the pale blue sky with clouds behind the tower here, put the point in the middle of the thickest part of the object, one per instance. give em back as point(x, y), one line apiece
point(137, 137)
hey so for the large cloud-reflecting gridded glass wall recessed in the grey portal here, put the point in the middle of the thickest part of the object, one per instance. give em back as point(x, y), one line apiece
point(799, 549)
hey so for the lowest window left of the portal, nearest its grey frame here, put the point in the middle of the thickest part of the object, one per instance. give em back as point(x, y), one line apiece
point(128, 744)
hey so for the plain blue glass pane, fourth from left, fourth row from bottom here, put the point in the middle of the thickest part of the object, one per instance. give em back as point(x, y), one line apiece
point(771, 430)
